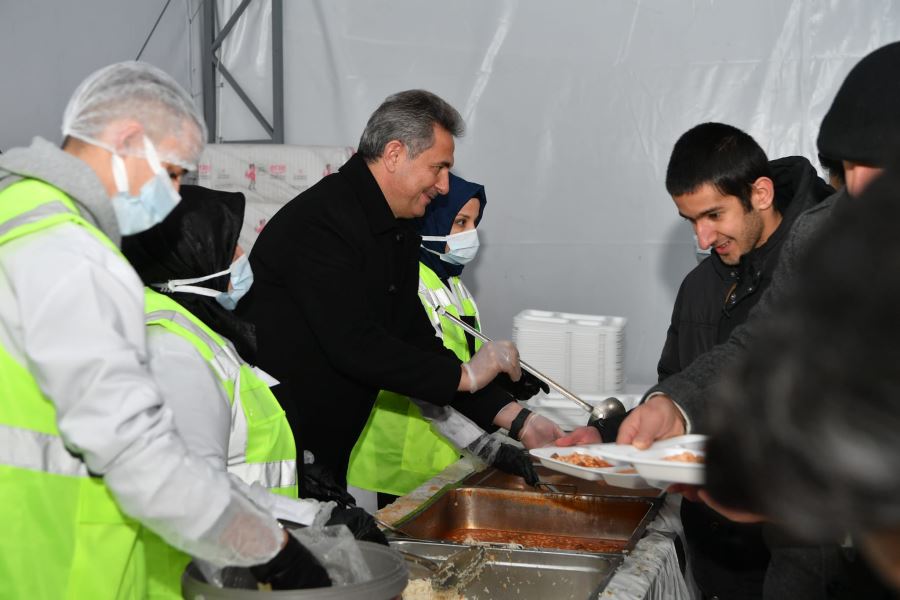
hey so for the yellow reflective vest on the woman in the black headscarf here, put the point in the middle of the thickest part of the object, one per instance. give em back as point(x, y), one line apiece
point(261, 444)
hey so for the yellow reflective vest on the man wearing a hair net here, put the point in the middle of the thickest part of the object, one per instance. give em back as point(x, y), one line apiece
point(55, 514)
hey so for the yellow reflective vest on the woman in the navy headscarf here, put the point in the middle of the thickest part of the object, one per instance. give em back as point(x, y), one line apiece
point(398, 450)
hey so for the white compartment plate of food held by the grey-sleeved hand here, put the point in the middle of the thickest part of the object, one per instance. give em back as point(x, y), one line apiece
point(650, 463)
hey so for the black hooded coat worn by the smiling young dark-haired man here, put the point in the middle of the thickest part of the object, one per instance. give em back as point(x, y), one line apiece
point(729, 560)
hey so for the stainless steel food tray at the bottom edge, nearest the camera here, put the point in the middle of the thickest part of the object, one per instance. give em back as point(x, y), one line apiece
point(524, 574)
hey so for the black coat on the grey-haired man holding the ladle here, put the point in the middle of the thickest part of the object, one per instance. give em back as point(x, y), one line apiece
point(337, 314)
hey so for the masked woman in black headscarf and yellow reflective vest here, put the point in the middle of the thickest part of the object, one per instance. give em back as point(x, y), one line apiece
point(223, 406)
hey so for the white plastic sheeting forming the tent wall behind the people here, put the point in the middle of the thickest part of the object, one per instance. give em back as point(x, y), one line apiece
point(572, 109)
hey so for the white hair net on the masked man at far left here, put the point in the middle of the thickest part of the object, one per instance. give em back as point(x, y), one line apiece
point(136, 90)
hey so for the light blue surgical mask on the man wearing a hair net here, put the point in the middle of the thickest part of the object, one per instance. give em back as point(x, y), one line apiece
point(154, 201)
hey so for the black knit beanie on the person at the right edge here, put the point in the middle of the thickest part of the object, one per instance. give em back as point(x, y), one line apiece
point(863, 123)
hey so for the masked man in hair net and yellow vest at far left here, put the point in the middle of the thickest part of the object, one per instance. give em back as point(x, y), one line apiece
point(90, 460)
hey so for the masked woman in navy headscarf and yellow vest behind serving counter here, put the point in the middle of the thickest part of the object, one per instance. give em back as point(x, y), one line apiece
point(408, 441)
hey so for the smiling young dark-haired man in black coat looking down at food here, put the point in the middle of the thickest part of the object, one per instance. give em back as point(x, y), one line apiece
point(741, 206)
